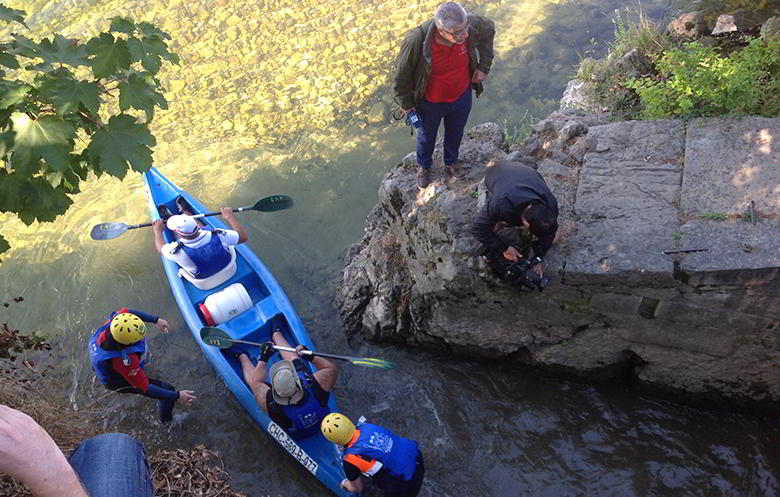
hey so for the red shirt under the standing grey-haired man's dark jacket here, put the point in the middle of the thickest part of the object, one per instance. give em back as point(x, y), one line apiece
point(449, 72)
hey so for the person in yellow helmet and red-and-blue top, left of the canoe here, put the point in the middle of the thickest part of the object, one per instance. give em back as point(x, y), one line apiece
point(118, 352)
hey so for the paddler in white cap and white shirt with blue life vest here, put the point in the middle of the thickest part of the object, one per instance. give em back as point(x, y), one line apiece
point(197, 250)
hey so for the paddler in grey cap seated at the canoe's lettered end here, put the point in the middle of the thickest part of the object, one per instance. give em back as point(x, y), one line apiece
point(296, 399)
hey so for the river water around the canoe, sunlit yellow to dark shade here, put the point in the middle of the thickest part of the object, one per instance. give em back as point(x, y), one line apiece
point(293, 97)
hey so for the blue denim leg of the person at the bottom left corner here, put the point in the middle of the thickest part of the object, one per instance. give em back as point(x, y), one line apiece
point(113, 465)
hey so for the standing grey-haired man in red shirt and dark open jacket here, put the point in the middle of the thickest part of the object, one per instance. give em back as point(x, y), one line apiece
point(439, 64)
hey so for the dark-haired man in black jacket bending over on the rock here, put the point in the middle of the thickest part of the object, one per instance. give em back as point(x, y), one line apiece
point(517, 196)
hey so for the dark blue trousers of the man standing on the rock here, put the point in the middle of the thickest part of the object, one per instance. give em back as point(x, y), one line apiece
point(455, 115)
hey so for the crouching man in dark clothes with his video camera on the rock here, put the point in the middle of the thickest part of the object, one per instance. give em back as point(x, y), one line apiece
point(517, 196)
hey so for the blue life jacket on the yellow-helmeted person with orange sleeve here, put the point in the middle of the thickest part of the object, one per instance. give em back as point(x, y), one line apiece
point(398, 455)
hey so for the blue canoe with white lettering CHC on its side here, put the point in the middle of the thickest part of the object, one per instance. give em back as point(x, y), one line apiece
point(270, 307)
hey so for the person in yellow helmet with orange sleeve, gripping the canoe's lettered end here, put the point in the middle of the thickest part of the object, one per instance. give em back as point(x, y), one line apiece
point(393, 462)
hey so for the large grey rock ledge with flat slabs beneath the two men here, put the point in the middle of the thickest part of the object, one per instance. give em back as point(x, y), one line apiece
point(702, 323)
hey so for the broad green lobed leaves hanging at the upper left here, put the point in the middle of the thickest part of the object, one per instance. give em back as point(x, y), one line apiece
point(72, 108)
